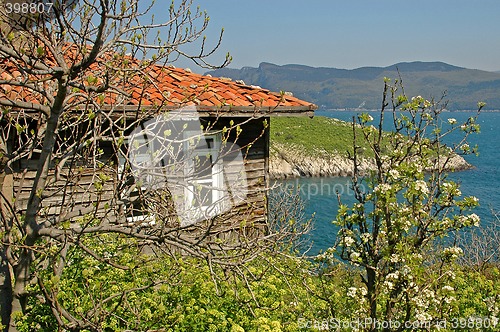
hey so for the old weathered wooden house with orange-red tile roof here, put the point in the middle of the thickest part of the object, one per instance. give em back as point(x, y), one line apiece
point(204, 139)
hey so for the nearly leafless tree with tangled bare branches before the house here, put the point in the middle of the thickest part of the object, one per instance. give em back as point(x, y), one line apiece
point(68, 73)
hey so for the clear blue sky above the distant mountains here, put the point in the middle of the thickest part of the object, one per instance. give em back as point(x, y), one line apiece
point(356, 33)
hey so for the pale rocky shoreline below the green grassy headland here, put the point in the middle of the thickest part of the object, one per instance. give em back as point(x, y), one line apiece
point(291, 162)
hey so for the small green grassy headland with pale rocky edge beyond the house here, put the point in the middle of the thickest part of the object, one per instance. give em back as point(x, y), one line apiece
point(320, 147)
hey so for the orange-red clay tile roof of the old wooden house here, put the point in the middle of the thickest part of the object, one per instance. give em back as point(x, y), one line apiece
point(165, 87)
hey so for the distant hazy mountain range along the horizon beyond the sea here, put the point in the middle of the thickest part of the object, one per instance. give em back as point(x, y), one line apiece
point(362, 87)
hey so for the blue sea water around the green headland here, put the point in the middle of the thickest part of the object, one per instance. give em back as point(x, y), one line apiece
point(483, 181)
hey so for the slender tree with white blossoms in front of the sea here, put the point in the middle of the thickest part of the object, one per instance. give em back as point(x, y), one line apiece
point(403, 207)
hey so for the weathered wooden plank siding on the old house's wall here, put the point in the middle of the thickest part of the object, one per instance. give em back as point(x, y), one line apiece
point(86, 189)
